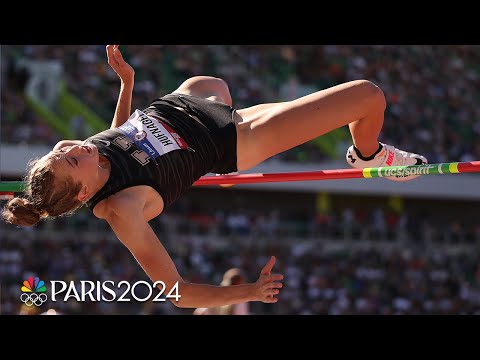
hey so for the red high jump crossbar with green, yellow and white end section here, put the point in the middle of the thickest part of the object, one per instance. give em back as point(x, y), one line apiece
point(367, 173)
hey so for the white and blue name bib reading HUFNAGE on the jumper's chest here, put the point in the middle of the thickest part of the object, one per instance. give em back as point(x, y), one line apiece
point(154, 137)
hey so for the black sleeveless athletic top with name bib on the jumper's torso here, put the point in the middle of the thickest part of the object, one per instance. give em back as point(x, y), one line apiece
point(168, 154)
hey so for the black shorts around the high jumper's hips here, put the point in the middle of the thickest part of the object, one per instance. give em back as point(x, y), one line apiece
point(210, 119)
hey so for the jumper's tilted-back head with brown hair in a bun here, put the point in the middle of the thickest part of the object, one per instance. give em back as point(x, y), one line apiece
point(57, 184)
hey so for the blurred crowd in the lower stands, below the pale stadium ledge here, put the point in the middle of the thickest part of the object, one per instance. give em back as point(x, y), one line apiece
point(332, 269)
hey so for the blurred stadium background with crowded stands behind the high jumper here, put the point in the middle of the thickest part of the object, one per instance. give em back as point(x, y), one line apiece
point(345, 247)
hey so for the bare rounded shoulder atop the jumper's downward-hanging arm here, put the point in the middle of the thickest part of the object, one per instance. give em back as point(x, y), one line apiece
point(133, 200)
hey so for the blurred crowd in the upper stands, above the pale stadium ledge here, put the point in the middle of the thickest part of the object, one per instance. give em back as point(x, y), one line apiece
point(431, 90)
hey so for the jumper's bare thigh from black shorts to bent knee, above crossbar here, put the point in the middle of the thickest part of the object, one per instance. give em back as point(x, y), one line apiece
point(272, 129)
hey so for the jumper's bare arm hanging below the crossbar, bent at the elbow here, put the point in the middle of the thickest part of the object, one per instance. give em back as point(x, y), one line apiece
point(135, 233)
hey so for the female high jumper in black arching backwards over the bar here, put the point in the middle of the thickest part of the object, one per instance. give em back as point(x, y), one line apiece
point(127, 175)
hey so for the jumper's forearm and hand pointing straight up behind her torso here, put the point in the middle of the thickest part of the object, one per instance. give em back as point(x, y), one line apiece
point(127, 76)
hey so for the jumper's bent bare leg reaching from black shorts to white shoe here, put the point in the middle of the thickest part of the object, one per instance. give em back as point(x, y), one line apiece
point(269, 129)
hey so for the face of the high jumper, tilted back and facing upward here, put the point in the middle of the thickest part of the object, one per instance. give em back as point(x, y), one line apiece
point(78, 161)
